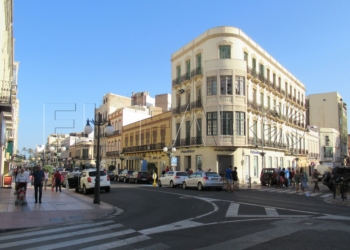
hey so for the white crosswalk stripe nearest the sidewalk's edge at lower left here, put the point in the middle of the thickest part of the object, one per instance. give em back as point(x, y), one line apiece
point(56, 230)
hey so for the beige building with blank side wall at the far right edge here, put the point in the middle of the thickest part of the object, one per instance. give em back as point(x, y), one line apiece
point(328, 110)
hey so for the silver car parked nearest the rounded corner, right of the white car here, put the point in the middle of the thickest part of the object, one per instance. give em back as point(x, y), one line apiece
point(202, 180)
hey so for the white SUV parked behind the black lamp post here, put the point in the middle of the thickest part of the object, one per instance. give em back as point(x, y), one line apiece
point(86, 181)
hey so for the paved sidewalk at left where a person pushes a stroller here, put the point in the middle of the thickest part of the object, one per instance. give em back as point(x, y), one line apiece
point(64, 207)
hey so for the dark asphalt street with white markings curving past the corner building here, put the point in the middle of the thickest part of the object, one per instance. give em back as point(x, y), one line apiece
point(171, 218)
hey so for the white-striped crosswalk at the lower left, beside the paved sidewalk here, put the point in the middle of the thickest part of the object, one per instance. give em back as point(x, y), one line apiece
point(90, 235)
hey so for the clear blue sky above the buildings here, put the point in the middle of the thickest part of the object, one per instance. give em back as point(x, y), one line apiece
point(72, 52)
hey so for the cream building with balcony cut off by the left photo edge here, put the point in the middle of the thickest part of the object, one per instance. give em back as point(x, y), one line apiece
point(9, 104)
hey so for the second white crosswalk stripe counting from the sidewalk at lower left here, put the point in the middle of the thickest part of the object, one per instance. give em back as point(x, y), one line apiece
point(58, 236)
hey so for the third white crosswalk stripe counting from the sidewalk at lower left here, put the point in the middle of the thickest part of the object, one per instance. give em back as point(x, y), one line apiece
point(82, 240)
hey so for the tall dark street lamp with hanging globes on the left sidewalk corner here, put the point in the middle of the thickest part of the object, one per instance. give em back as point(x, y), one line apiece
point(109, 131)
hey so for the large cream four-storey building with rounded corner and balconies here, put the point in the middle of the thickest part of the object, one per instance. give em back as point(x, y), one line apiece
point(233, 104)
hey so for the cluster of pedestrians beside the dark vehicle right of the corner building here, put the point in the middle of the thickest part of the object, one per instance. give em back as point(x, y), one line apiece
point(296, 179)
